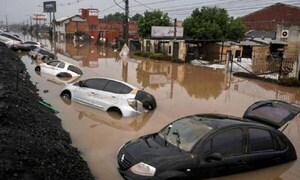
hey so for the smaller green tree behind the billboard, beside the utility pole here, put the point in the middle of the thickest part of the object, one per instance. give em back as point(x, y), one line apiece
point(153, 18)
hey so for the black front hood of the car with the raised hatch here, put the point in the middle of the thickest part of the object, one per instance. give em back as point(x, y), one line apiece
point(147, 149)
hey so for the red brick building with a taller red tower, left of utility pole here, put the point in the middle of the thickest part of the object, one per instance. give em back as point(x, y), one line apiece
point(96, 30)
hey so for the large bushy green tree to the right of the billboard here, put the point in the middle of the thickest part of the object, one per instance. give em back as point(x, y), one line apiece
point(213, 23)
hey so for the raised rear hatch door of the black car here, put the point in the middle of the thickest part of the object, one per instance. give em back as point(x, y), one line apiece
point(274, 113)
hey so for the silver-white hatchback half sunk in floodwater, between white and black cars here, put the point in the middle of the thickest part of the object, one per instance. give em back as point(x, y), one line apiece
point(110, 95)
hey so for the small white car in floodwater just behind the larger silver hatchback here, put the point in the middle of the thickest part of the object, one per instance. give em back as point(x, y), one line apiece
point(59, 69)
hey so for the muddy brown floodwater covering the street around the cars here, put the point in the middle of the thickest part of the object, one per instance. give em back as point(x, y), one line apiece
point(180, 90)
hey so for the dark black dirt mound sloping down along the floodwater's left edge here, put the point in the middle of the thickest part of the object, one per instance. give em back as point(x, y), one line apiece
point(33, 144)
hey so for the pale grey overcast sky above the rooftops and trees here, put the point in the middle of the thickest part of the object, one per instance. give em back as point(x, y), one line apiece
point(20, 11)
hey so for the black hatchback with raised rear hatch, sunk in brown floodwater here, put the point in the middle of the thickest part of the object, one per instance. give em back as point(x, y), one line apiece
point(210, 145)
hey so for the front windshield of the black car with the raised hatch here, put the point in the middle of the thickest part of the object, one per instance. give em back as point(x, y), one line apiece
point(185, 132)
